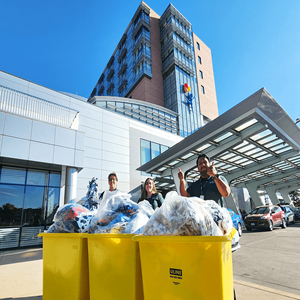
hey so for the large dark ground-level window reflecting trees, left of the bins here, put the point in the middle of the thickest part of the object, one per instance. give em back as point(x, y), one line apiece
point(28, 197)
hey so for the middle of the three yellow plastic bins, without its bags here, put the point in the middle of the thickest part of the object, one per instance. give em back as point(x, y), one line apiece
point(114, 266)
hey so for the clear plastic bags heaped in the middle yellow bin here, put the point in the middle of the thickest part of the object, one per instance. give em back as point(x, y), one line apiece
point(119, 214)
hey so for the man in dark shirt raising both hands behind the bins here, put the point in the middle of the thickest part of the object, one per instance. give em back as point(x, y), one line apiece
point(210, 186)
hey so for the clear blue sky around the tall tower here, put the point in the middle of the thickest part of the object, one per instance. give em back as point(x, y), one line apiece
point(65, 44)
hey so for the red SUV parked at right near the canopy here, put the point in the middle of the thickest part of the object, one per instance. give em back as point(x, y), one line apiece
point(265, 217)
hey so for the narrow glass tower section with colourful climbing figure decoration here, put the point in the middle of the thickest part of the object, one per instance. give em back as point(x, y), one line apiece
point(179, 69)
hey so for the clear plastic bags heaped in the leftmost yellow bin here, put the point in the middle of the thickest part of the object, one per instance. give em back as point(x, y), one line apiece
point(71, 218)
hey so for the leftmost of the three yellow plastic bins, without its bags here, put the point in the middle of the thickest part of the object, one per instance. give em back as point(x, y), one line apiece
point(65, 266)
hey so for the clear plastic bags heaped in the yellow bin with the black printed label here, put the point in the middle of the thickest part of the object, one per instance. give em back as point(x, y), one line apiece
point(188, 216)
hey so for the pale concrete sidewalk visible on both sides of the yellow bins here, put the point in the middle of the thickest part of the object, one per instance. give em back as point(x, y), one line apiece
point(21, 278)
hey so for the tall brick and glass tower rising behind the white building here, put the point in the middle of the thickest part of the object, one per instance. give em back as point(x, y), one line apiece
point(160, 60)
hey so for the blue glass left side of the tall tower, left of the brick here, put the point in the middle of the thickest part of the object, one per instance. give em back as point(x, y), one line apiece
point(131, 60)
